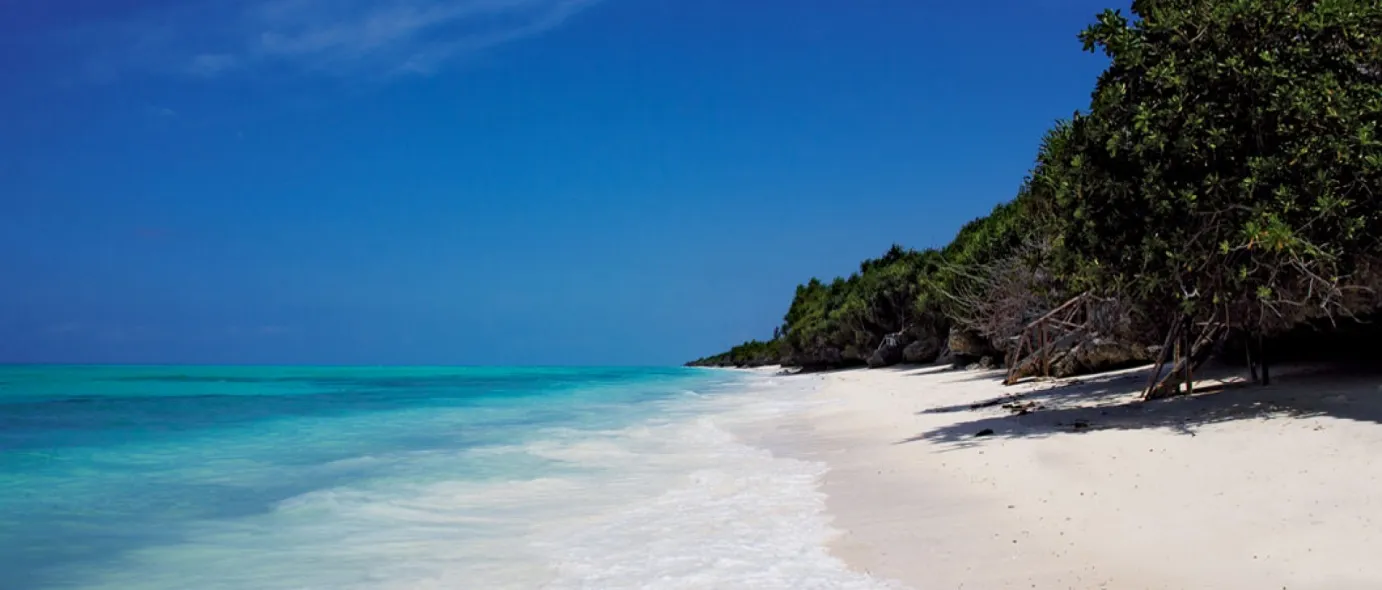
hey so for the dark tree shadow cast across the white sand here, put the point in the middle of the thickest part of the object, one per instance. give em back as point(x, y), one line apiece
point(1113, 403)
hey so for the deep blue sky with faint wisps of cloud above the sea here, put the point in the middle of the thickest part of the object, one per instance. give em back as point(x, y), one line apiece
point(491, 182)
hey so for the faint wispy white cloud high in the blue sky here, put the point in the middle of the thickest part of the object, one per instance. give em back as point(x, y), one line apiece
point(346, 38)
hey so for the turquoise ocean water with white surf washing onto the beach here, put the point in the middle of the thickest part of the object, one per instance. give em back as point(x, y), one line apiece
point(266, 479)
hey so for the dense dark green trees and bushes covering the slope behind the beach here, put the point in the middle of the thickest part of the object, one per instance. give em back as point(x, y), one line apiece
point(1222, 182)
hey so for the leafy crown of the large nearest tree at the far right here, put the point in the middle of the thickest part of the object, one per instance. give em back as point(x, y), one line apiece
point(1229, 162)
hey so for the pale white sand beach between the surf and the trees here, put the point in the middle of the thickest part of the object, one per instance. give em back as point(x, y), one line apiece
point(1249, 488)
